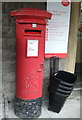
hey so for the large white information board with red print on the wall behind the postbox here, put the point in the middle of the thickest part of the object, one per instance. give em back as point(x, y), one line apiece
point(58, 29)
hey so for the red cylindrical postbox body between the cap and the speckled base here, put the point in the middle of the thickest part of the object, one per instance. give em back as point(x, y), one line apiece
point(30, 60)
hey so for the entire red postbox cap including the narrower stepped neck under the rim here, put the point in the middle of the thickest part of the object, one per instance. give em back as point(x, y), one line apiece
point(31, 15)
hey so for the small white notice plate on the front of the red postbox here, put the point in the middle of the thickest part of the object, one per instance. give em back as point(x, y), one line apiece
point(32, 48)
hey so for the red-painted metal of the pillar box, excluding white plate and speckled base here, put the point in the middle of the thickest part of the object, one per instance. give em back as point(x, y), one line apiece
point(29, 69)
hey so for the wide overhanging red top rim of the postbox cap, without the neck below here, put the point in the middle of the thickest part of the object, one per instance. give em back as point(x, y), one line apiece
point(30, 12)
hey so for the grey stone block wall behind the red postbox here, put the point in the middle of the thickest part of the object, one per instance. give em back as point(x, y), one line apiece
point(9, 49)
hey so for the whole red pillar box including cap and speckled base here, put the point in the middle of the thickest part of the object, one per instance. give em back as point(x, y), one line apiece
point(30, 39)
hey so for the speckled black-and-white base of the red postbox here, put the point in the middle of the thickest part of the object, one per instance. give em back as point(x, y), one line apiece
point(28, 108)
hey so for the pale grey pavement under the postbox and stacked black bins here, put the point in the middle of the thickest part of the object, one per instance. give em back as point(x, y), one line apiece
point(71, 108)
